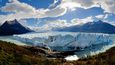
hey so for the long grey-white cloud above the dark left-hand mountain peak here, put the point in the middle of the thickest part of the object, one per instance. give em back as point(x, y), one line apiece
point(24, 11)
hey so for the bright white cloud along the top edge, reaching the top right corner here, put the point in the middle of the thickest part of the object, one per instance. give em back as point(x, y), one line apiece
point(107, 5)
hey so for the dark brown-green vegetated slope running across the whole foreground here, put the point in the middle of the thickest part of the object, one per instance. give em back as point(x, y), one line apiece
point(11, 54)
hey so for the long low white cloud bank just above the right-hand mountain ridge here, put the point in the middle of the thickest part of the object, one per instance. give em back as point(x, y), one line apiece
point(64, 23)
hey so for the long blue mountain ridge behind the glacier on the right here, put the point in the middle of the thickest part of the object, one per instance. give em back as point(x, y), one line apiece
point(91, 27)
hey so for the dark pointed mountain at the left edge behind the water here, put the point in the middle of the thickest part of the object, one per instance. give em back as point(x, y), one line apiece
point(13, 27)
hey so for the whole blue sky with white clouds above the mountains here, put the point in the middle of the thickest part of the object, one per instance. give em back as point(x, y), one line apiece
point(46, 14)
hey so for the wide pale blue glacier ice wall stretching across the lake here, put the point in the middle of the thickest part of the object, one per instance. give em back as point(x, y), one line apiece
point(63, 41)
